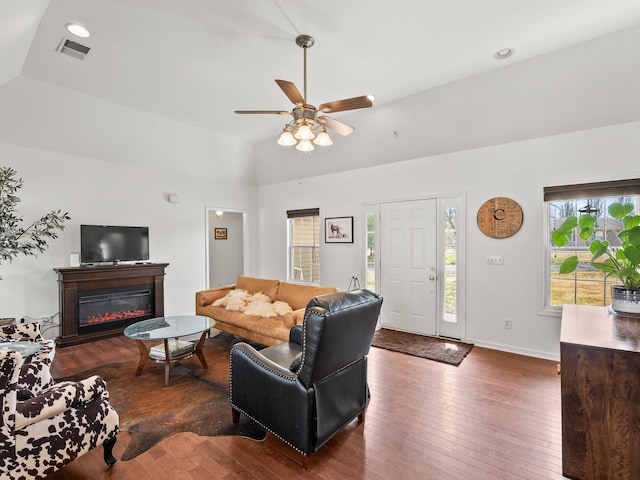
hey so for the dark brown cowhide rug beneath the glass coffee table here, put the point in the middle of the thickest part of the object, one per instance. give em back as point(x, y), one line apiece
point(197, 399)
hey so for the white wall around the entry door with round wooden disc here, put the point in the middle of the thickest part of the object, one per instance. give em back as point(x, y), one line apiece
point(517, 170)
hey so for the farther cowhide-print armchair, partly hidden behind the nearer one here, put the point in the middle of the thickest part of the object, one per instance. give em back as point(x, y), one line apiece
point(36, 373)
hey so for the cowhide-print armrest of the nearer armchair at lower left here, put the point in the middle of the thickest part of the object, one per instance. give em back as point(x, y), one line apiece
point(59, 398)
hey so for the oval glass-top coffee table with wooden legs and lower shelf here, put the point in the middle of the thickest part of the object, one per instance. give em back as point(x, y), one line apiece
point(169, 330)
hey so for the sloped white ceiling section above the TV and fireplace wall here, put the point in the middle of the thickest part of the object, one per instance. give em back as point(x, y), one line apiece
point(47, 117)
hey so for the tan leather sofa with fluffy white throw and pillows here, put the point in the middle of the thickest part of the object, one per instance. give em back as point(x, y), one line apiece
point(263, 330)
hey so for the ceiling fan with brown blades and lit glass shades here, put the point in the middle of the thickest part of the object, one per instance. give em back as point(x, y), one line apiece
point(307, 123)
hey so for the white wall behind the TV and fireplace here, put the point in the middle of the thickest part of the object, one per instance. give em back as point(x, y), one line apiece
point(96, 191)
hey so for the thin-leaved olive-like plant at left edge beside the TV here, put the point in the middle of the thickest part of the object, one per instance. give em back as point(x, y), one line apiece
point(15, 239)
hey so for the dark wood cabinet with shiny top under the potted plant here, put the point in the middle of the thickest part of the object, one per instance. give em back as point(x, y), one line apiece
point(600, 385)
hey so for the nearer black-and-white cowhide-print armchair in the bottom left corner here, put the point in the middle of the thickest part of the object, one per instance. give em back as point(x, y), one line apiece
point(42, 433)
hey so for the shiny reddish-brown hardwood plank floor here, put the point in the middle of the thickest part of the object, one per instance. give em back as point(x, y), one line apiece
point(496, 416)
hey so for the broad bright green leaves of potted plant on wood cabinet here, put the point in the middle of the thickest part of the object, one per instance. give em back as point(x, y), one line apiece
point(621, 261)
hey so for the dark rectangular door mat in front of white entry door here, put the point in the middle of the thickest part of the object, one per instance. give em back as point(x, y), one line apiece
point(442, 350)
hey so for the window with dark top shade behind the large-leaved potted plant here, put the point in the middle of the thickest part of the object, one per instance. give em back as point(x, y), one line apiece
point(587, 285)
